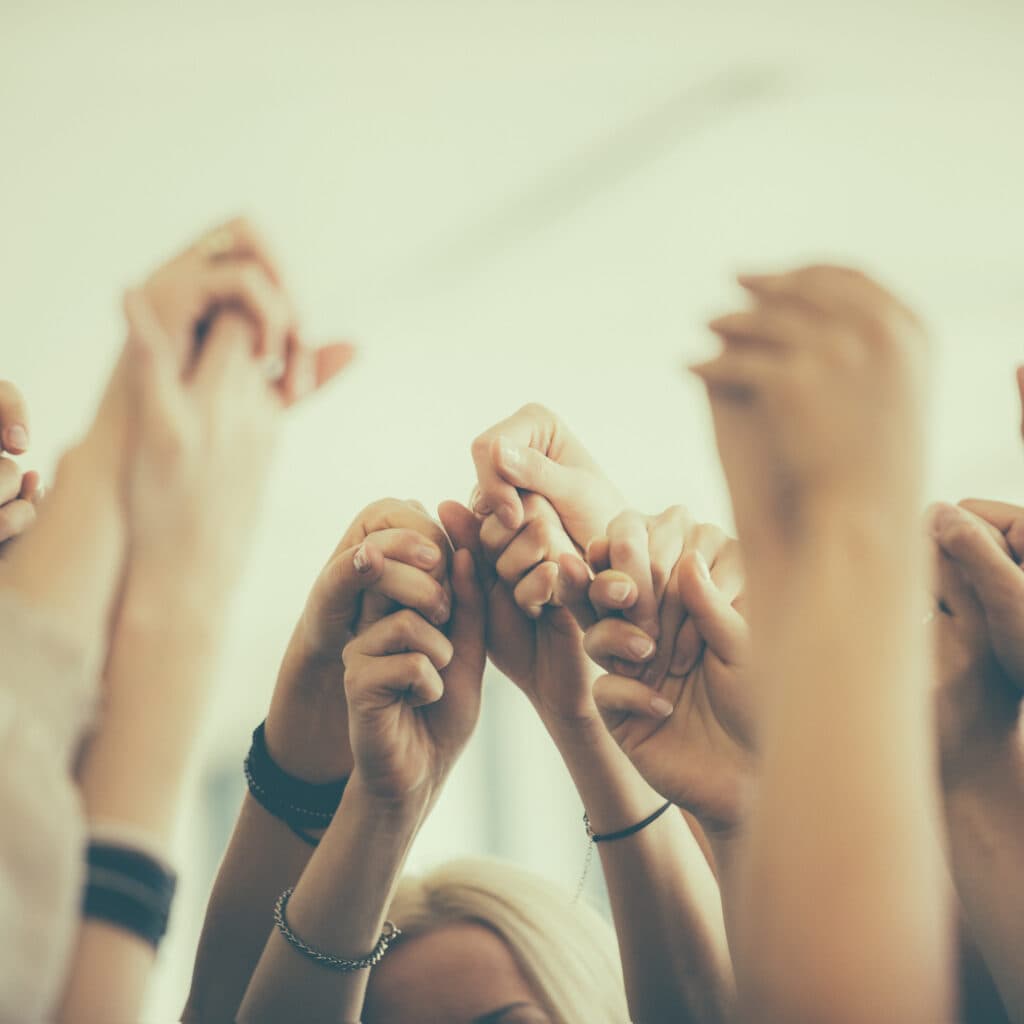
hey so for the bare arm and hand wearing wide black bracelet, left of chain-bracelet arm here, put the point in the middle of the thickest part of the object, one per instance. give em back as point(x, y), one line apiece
point(308, 737)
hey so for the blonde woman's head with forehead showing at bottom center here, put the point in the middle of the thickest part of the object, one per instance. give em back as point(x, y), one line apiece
point(481, 936)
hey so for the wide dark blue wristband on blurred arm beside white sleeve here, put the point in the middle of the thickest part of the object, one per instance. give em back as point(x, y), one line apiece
point(130, 889)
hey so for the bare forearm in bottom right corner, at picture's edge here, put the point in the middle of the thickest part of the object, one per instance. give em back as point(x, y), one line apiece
point(985, 817)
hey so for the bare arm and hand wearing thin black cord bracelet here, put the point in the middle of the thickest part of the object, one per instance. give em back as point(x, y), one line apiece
point(664, 899)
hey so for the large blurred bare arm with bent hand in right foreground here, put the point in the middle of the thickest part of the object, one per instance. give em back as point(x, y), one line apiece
point(843, 911)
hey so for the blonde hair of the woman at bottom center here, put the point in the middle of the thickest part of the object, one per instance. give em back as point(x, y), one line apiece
point(566, 951)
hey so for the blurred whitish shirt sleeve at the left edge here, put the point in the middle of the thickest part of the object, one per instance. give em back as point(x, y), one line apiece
point(49, 688)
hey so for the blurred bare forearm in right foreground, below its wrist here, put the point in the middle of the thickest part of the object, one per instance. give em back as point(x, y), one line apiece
point(846, 744)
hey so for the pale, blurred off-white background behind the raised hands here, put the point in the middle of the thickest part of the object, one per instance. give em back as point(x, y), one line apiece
point(502, 203)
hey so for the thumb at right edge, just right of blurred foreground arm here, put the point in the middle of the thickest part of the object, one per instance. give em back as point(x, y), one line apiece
point(997, 579)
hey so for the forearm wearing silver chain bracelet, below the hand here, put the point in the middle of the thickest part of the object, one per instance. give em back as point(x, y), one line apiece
point(339, 907)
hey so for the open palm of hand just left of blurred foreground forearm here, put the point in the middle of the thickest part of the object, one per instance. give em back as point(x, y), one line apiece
point(700, 756)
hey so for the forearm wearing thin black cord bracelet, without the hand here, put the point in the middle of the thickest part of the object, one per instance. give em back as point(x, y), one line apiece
point(664, 898)
